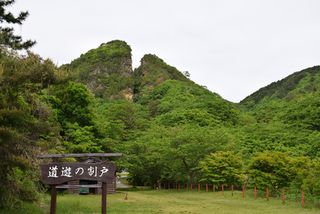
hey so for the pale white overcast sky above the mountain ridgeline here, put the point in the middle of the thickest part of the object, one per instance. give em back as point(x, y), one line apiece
point(234, 47)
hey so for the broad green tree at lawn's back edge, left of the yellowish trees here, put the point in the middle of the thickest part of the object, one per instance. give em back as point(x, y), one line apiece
point(172, 154)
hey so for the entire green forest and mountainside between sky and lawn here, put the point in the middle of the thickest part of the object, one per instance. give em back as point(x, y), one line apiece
point(169, 128)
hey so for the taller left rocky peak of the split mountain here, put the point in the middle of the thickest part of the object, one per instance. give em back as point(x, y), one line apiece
point(106, 70)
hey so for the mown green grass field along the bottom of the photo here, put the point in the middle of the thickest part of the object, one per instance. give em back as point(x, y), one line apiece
point(172, 202)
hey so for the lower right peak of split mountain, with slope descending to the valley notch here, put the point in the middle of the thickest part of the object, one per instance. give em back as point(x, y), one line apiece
point(176, 99)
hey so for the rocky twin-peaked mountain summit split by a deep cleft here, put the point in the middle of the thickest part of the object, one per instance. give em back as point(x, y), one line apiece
point(107, 71)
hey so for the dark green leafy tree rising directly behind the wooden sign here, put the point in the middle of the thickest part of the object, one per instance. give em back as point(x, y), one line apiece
point(73, 104)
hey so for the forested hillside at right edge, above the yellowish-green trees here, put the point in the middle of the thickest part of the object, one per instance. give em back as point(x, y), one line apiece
point(289, 110)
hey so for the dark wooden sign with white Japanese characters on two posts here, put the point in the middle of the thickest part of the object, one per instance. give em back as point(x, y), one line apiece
point(56, 174)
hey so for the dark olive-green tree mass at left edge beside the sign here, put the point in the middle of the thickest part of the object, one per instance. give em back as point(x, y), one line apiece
point(27, 125)
